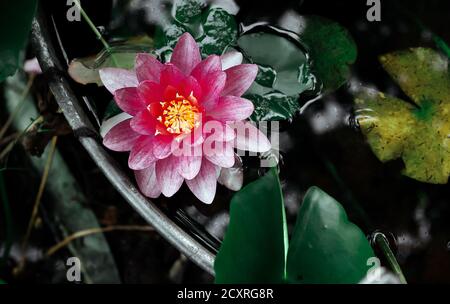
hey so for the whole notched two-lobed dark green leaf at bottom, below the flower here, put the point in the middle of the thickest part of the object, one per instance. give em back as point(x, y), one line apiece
point(325, 247)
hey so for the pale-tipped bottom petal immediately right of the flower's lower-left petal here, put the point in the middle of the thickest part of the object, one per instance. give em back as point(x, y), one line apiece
point(168, 177)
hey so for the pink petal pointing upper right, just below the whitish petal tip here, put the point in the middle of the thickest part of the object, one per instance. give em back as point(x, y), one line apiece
point(239, 79)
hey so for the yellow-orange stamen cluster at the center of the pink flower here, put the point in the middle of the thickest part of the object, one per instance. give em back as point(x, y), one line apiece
point(179, 115)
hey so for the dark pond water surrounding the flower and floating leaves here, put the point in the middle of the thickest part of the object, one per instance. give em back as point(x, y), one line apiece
point(322, 145)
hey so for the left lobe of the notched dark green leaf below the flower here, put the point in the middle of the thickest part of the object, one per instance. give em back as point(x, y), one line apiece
point(254, 248)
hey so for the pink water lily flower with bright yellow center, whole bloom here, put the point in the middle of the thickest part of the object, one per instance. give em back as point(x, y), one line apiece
point(187, 105)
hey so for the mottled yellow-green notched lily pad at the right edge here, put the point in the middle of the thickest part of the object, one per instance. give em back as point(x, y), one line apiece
point(418, 132)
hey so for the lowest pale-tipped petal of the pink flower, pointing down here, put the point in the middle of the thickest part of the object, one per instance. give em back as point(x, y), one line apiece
point(205, 183)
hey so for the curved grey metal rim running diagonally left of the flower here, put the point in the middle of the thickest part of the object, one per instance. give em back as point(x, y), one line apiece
point(80, 123)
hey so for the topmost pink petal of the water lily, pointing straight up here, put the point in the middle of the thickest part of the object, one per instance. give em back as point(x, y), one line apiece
point(186, 54)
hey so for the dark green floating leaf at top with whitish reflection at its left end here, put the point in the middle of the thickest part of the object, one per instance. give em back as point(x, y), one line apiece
point(331, 46)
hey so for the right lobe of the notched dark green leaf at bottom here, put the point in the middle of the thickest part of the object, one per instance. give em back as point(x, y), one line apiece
point(326, 247)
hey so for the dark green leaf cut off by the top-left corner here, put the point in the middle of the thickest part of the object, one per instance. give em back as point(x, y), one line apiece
point(15, 23)
